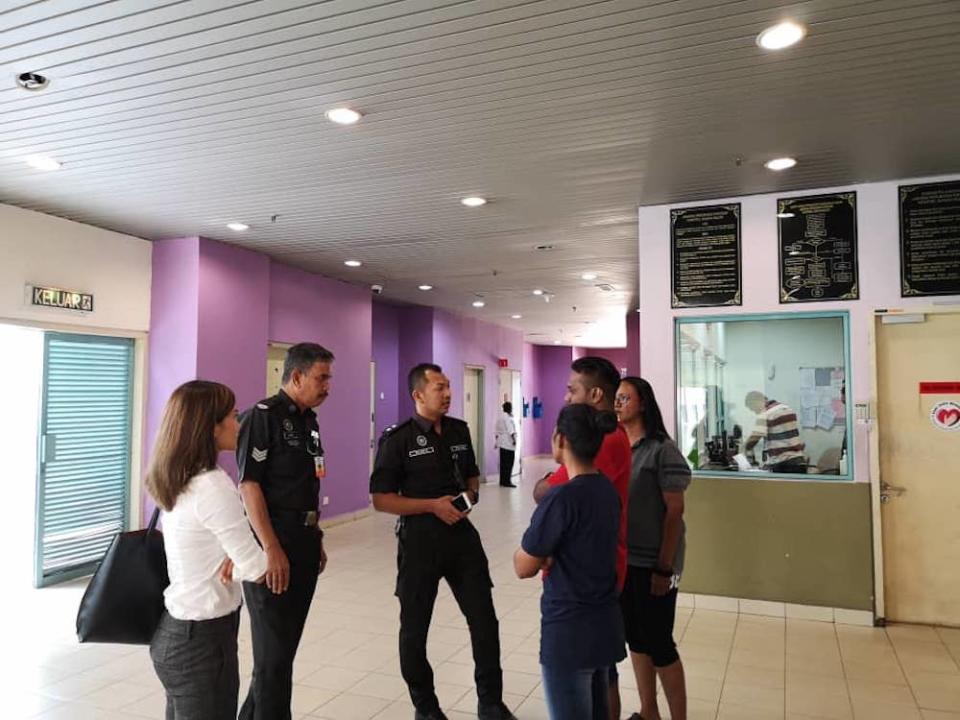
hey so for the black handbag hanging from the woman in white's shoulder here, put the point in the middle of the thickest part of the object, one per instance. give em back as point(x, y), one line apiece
point(124, 600)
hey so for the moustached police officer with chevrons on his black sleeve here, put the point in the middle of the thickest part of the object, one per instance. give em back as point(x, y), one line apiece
point(281, 464)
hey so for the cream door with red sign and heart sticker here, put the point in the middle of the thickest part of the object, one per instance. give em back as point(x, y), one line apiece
point(918, 411)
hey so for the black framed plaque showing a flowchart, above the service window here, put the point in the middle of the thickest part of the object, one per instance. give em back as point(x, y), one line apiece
point(818, 248)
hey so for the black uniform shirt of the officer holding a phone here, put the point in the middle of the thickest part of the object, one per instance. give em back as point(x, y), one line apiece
point(416, 462)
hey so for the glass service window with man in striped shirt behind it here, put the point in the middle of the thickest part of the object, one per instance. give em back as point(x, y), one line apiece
point(765, 395)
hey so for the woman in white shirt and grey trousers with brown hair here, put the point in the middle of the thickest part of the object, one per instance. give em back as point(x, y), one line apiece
point(209, 547)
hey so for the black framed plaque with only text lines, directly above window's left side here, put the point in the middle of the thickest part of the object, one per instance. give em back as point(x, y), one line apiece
point(705, 256)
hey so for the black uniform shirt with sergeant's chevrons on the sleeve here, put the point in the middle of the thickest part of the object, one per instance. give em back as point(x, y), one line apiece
point(279, 448)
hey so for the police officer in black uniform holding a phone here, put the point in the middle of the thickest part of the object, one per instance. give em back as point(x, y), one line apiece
point(422, 465)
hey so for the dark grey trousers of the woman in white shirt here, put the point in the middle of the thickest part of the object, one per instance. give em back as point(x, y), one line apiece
point(197, 663)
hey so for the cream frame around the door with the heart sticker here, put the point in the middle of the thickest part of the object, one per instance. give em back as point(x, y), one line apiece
point(873, 435)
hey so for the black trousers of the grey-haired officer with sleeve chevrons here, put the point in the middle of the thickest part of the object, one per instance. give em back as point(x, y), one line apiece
point(276, 625)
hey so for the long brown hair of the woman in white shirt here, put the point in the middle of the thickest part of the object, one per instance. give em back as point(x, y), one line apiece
point(185, 445)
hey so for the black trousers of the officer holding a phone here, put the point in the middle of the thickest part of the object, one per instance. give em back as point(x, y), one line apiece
point(429, 550)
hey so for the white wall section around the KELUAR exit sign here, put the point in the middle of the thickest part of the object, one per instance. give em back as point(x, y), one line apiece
point(44, 250)
